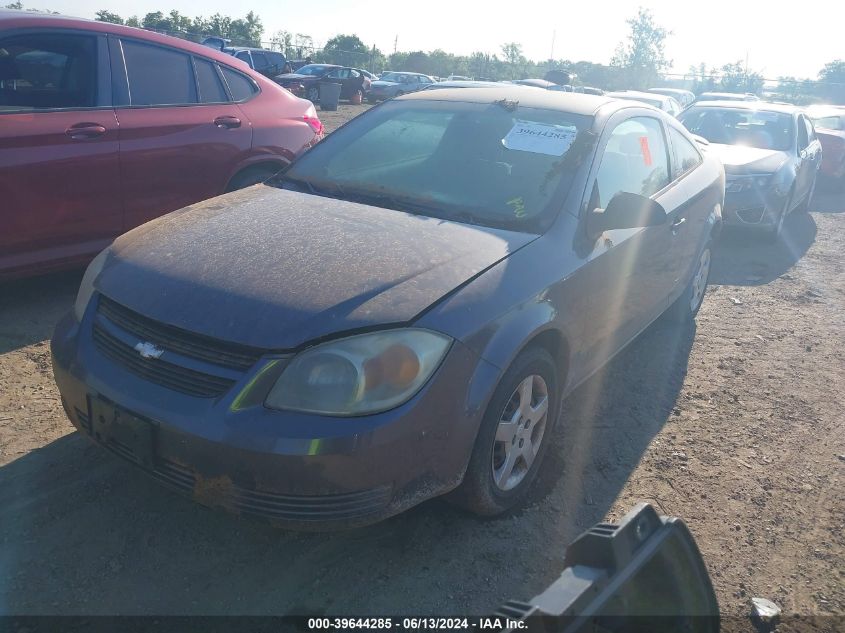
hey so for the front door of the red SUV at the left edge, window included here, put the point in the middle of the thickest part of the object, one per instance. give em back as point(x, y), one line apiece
point(59, 174)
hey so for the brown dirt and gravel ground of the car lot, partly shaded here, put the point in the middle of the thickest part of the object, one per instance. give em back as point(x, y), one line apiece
point(735, 425)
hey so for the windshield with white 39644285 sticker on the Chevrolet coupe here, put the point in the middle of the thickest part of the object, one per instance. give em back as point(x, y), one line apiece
point(479, 163)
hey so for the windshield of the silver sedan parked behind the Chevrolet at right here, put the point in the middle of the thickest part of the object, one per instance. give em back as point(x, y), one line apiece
point(735, 126)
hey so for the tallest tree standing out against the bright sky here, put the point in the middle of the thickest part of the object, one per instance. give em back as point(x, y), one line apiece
point(642, 57)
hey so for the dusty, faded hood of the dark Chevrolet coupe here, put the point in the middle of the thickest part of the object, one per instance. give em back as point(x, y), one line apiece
point(276, 269)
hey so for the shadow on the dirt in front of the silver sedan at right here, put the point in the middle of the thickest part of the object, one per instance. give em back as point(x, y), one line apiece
point(742, 258)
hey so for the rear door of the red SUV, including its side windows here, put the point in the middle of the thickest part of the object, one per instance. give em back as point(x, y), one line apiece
point(181, 130)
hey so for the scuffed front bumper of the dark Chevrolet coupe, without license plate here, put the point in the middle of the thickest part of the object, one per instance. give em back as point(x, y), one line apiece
point(301, 471)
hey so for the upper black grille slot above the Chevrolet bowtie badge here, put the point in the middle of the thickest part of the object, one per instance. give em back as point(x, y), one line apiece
point(202, 348)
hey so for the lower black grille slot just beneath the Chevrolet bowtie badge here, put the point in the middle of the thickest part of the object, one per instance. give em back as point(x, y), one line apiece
point(160, 372)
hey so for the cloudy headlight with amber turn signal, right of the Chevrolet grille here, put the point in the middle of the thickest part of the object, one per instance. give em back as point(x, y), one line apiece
point(361, 374)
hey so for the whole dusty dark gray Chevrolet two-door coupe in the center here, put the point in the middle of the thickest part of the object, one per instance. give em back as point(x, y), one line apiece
point(398, 315)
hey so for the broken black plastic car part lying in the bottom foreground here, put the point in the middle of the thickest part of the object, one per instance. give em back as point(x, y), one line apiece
point(645, 574)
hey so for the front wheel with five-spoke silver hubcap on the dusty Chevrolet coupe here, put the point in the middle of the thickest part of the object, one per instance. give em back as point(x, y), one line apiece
point(513, 437)
